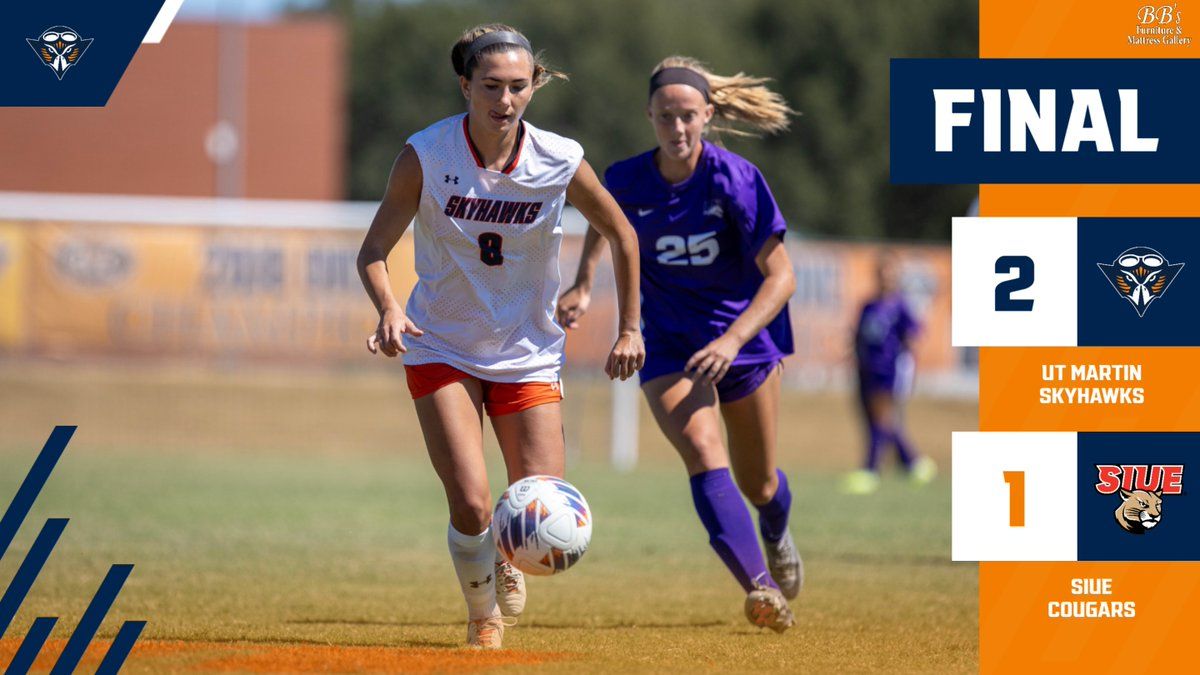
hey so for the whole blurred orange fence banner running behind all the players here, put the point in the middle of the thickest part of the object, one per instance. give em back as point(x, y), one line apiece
point(293, 295)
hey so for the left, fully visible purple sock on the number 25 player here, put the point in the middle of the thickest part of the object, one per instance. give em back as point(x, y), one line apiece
point(730, 529)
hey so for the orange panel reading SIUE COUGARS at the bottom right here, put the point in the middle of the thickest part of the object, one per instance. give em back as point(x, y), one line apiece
point(1137, 618)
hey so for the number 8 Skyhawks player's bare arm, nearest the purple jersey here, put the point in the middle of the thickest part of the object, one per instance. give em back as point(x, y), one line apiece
point(602, 211)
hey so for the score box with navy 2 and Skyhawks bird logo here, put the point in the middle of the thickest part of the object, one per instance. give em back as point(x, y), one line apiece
point(1076, 283)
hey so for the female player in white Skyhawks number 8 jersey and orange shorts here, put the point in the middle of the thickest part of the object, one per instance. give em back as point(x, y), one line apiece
point(479, 334)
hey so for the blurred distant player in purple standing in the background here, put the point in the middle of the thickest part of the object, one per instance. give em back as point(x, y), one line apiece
point(884, 355)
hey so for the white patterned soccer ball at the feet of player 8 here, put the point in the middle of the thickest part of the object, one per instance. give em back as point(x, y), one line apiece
point(543, 525)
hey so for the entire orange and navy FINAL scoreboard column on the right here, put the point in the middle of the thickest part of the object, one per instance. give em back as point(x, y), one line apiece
point(1079, 285)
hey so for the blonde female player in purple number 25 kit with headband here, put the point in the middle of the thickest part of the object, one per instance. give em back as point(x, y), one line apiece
point(716, 283)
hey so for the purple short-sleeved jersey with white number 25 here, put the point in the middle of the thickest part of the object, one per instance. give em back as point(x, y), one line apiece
point(699, 241)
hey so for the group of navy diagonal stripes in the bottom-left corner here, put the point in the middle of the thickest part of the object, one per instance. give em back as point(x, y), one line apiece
point(27, 575)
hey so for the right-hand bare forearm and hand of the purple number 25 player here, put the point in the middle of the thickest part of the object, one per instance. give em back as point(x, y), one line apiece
point(779, 283)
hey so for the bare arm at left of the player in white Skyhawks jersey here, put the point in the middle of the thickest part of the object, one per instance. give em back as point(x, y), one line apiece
point(399, 206)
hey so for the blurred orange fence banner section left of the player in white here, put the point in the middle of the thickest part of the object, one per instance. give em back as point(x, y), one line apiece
point(121, 290)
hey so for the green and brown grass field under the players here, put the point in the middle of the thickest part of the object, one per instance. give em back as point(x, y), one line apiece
point(292, 523)
